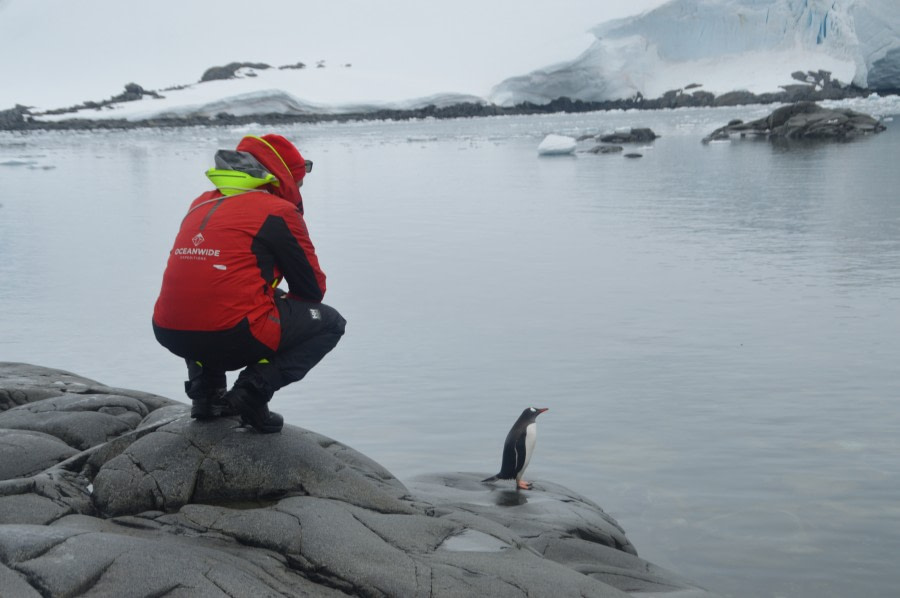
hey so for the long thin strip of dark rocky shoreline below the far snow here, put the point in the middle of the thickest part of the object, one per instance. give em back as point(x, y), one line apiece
point(819, 87)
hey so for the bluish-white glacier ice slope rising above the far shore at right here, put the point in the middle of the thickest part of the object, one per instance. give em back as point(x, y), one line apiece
point(724, 45)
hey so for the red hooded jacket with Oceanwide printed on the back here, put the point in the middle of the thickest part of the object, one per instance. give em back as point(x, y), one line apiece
point(231, 252)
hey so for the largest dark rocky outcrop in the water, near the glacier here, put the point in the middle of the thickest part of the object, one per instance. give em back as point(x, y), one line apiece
point(803, 121)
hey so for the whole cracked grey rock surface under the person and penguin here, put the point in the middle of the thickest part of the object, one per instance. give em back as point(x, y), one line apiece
point(112, 492)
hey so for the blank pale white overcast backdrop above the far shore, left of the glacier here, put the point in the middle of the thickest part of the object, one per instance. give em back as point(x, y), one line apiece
point(91, 48)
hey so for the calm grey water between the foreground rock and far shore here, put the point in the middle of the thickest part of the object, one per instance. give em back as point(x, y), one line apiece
point(715, 329)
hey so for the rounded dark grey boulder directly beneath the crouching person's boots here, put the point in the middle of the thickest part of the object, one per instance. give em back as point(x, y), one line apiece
point(183, 462)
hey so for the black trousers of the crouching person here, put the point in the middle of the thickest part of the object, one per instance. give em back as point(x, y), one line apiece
point(308, 332)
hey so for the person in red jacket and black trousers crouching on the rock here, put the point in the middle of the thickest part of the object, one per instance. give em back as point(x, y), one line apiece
point(220, 307)
